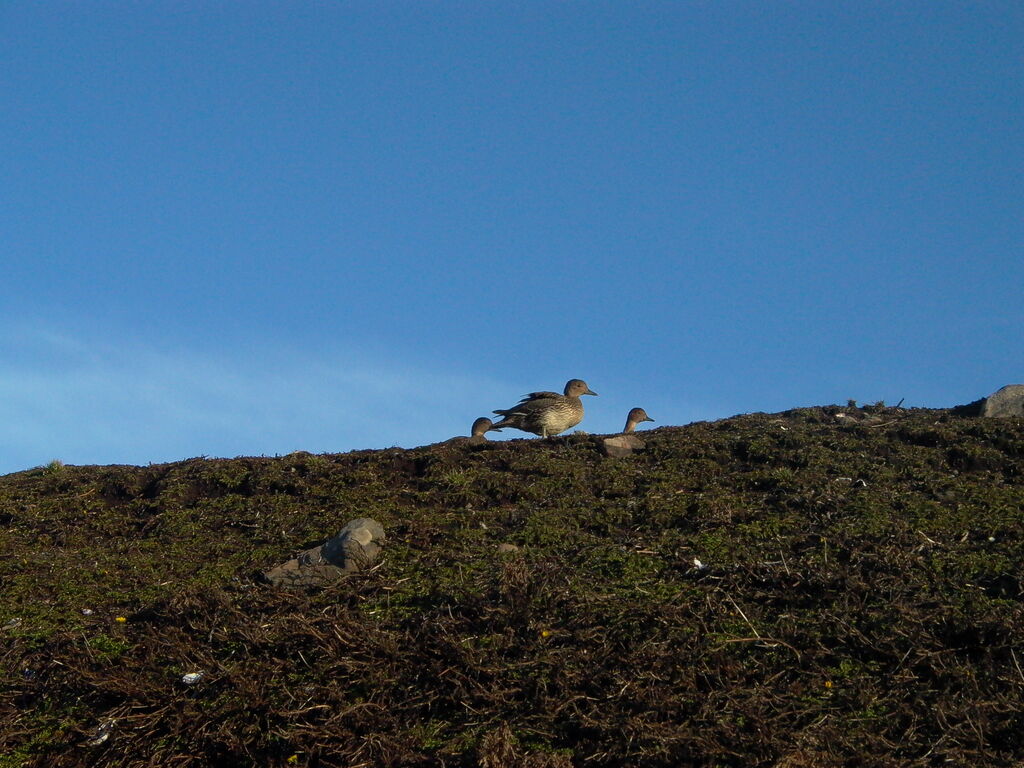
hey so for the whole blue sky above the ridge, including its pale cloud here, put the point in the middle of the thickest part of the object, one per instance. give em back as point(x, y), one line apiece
point(250, 229)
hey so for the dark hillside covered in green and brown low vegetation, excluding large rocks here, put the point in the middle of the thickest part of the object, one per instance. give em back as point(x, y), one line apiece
point(860, 604)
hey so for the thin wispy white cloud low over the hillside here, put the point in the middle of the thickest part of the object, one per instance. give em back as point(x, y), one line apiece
point(86, 402)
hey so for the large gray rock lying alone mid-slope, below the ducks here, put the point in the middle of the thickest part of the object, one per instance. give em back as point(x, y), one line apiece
point(357, 547)
